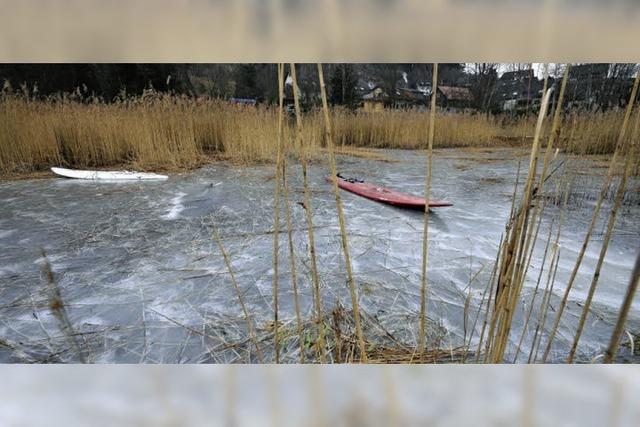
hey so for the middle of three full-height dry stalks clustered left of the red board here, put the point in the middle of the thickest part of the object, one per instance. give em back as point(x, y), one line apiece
point(309, 216)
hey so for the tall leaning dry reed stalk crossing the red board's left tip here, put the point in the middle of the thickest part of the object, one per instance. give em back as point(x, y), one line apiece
point(343, 228)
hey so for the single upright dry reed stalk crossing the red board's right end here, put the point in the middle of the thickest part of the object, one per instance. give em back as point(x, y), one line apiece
point(425, 232)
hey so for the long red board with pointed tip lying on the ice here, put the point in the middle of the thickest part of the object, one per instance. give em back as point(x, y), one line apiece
point(384, 195)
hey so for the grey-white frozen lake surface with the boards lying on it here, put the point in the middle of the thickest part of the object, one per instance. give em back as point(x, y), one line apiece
point(144, 281)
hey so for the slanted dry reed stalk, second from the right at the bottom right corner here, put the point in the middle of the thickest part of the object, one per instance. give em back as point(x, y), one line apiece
point(629, 156)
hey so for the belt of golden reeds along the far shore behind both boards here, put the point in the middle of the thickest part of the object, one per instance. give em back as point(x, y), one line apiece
point(167, 132)
